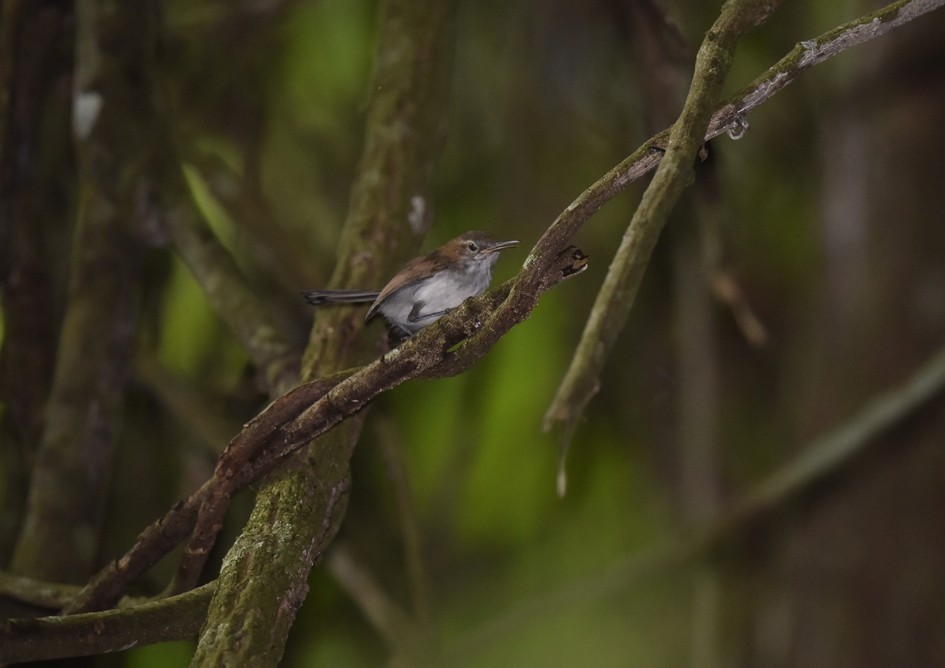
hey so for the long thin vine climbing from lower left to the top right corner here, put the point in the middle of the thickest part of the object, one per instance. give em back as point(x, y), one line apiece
point(497, 311)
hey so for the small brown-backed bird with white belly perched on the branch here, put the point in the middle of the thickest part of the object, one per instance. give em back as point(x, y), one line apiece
point(429, 286)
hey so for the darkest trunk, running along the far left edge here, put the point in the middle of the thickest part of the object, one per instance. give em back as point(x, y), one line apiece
point(31, 36)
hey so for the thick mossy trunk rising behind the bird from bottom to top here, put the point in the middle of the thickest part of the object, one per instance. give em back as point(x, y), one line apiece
point(297, 514)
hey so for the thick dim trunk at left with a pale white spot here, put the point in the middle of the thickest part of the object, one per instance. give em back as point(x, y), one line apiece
point(69, 485)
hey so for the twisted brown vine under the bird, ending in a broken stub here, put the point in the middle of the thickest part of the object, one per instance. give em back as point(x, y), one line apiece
point(311, 410)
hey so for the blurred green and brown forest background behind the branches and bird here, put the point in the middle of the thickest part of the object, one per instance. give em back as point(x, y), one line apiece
point(825, 221)
